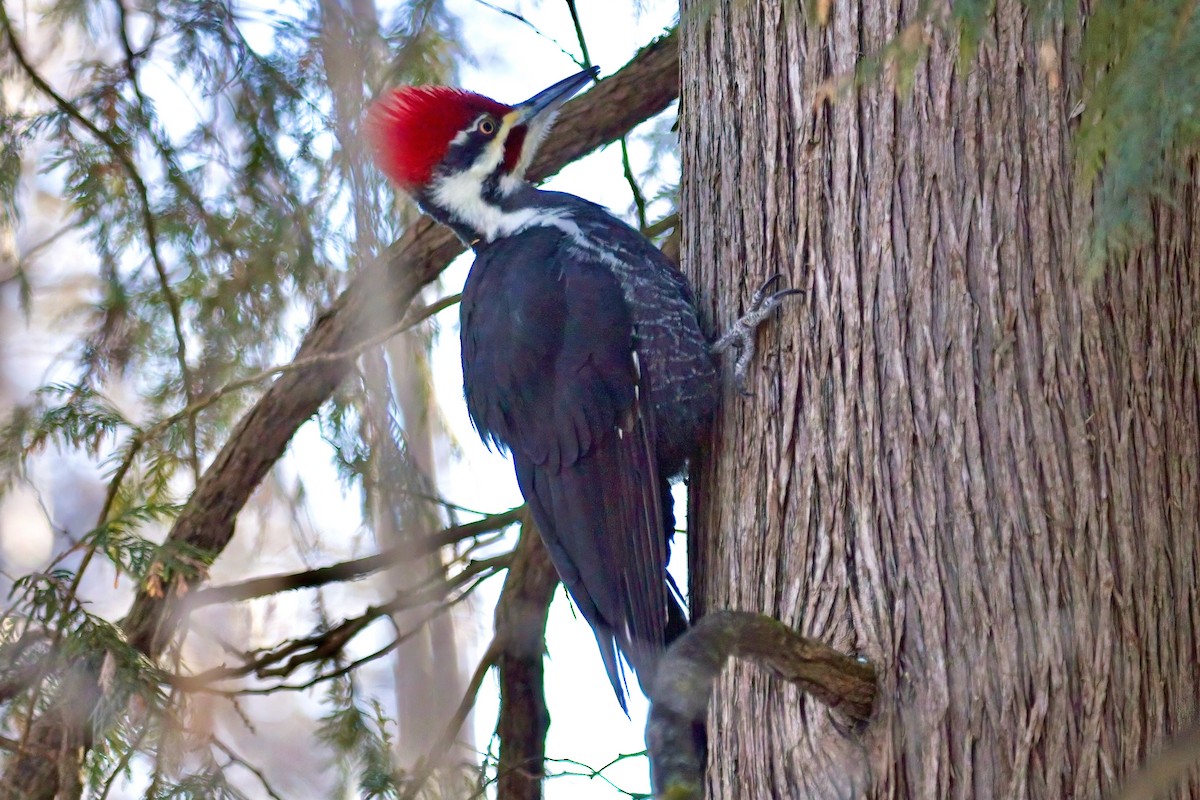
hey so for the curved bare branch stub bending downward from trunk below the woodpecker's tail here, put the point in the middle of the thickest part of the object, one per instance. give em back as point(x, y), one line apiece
point(685, 682)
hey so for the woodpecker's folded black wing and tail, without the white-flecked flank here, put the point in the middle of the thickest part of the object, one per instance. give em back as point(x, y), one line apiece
point(551, 372)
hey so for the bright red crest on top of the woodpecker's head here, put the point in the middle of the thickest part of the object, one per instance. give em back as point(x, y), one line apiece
point(412, 129)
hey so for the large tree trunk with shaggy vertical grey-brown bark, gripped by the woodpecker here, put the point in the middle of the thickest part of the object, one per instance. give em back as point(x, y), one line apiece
point(962, 460)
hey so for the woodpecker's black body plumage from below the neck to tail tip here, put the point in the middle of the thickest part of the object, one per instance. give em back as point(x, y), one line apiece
point(584, 357)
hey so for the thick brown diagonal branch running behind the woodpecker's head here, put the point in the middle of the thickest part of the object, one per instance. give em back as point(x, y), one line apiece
point(644, 88)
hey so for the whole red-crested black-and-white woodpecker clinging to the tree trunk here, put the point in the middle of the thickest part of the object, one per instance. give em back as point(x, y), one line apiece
point(581, 352)
